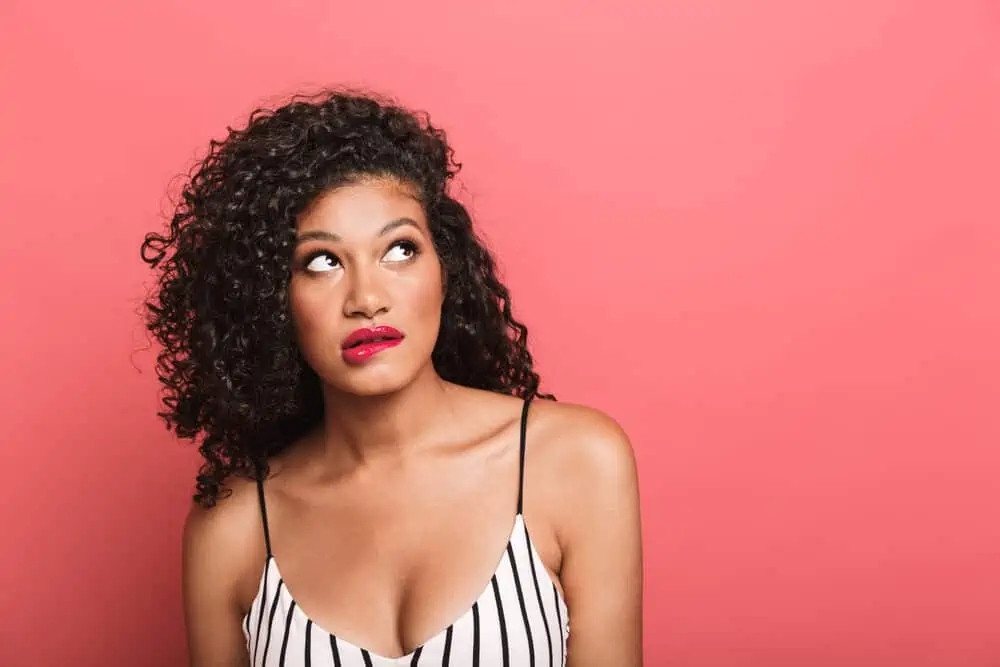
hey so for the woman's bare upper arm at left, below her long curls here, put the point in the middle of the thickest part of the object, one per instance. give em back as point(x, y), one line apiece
point(211, 580)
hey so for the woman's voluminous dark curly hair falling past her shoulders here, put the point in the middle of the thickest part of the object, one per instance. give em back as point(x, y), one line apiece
point(229, 364)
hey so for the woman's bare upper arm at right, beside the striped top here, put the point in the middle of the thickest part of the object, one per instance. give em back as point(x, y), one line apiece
point(601, 571)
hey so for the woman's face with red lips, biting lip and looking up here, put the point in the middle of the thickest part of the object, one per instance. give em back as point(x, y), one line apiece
point(366, 288)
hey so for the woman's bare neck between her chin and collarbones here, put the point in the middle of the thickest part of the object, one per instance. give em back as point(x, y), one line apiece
point(365, 429)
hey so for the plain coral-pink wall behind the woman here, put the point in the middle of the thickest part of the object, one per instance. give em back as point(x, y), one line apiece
point(763, 235)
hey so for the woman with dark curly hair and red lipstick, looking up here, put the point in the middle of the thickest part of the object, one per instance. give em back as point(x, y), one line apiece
point(339, 340)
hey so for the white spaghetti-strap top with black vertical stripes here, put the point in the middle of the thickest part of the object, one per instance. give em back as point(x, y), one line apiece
point(519, 619)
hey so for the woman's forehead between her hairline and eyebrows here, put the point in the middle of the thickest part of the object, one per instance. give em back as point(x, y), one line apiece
point(361, 209)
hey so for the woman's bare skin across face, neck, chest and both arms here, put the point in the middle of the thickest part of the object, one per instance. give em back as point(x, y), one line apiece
point(408, 467)
